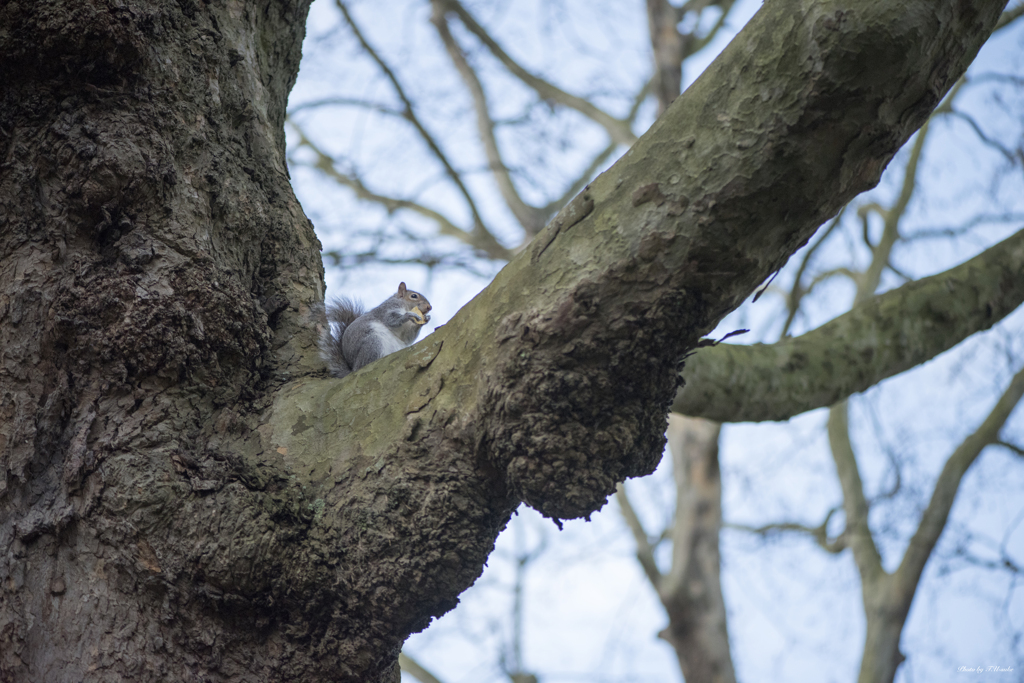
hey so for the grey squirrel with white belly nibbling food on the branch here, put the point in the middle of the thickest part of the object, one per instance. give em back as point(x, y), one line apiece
point(354, 337)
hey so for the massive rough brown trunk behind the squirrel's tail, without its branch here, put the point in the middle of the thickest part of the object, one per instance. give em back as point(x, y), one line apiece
point(155, 265)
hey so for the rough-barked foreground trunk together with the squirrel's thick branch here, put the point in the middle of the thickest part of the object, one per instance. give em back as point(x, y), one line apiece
point(185, 497)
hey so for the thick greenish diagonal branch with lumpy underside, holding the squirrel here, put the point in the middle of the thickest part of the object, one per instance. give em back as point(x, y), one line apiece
point(550, 387)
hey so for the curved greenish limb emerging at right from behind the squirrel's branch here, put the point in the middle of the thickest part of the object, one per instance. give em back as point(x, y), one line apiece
point(880, 338)
